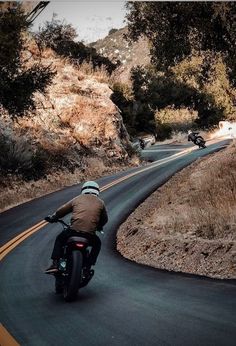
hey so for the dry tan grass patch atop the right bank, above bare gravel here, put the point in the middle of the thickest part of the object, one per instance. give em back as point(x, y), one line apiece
point(205, 200)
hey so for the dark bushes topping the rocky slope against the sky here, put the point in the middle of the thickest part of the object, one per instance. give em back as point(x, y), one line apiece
point(60, 37)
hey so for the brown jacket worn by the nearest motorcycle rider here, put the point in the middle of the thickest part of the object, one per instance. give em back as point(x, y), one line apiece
point(88, 213)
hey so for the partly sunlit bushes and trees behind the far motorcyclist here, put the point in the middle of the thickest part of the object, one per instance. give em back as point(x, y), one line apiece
point(177, 100)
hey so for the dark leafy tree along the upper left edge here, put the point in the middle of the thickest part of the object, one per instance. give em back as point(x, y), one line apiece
point(18, 83)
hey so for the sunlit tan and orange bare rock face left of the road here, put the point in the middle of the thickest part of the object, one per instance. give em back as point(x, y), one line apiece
point(77, 109)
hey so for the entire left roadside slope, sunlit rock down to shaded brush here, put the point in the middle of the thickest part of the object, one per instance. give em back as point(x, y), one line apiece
point(76, 132)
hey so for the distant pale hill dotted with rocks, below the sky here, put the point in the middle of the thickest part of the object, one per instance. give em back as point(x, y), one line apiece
point(116, 47)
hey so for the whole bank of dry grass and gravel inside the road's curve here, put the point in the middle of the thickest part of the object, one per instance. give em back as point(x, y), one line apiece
point(189, 224)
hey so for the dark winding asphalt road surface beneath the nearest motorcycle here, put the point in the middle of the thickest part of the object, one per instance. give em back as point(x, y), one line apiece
point(125, 303)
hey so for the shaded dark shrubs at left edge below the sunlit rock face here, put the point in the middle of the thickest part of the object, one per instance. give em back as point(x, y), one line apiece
point(19, 156)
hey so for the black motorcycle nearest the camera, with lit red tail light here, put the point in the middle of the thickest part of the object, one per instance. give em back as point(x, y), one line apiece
point(73, 270)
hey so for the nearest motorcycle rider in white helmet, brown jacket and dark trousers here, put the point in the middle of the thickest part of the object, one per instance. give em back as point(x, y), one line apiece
point(88, 215)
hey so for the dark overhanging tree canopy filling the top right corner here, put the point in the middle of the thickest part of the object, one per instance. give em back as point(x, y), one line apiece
point(178, 29)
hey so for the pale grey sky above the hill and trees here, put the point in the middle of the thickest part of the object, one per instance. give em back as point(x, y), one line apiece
point(92, 19)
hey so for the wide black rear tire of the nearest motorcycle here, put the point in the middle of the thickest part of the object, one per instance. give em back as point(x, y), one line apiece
point(72, 283)
